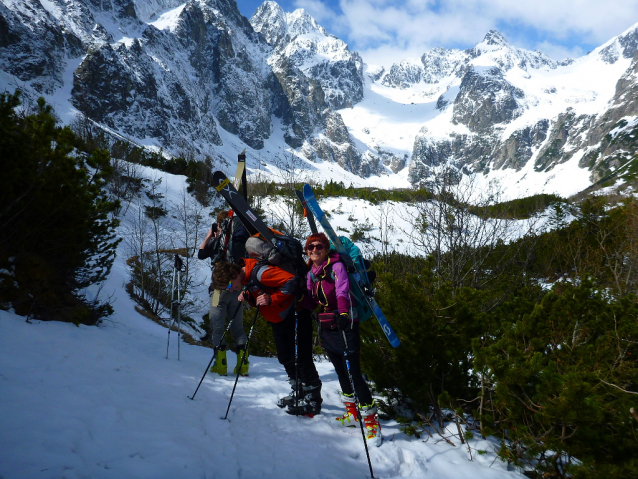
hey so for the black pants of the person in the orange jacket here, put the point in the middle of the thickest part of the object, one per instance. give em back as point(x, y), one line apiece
point(284, 336)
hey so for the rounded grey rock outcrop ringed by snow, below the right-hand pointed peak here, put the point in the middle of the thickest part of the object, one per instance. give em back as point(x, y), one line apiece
point(485, 99)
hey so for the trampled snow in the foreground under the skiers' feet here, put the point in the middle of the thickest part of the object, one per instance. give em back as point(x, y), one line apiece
point(104, 402)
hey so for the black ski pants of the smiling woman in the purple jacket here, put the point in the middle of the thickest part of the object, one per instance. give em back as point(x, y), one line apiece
point(333, 344)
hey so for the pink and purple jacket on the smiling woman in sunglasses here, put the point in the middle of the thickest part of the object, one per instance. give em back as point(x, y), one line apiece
point(329, 285)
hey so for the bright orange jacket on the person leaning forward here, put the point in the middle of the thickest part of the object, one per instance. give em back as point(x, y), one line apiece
point(280, 285)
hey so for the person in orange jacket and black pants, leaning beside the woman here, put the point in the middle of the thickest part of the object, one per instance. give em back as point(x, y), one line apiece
point(276, 292)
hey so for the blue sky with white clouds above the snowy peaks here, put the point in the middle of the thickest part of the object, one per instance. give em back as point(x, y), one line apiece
point(387, 31)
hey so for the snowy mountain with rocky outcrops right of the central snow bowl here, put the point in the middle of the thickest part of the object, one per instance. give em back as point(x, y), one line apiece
point(498, 107)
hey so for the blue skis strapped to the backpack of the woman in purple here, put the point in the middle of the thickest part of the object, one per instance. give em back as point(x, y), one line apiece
point(358, 284)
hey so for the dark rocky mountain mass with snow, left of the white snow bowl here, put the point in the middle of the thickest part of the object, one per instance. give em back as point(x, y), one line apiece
point(172, 73)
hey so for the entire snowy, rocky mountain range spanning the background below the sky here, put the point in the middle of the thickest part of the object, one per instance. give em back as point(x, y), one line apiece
point(198, 77)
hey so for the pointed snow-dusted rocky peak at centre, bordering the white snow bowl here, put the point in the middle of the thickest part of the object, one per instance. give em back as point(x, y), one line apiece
point(319, 75)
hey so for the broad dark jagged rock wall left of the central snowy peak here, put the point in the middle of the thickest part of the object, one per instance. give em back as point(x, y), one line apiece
point(144, 89)
